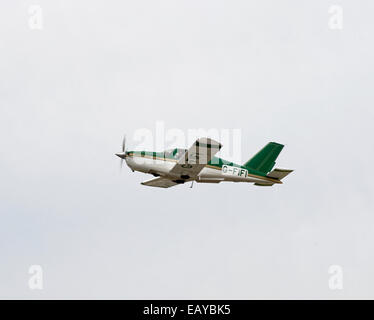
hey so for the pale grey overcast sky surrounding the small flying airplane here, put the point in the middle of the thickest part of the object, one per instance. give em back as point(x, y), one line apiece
point(99, 69)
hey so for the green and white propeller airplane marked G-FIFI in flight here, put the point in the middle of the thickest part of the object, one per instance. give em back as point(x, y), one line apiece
point(198, 163)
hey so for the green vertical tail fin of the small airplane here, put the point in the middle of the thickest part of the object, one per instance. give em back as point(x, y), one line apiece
point(264, 160)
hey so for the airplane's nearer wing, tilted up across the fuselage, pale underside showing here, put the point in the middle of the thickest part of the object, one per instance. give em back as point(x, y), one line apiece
point(196, 158)
